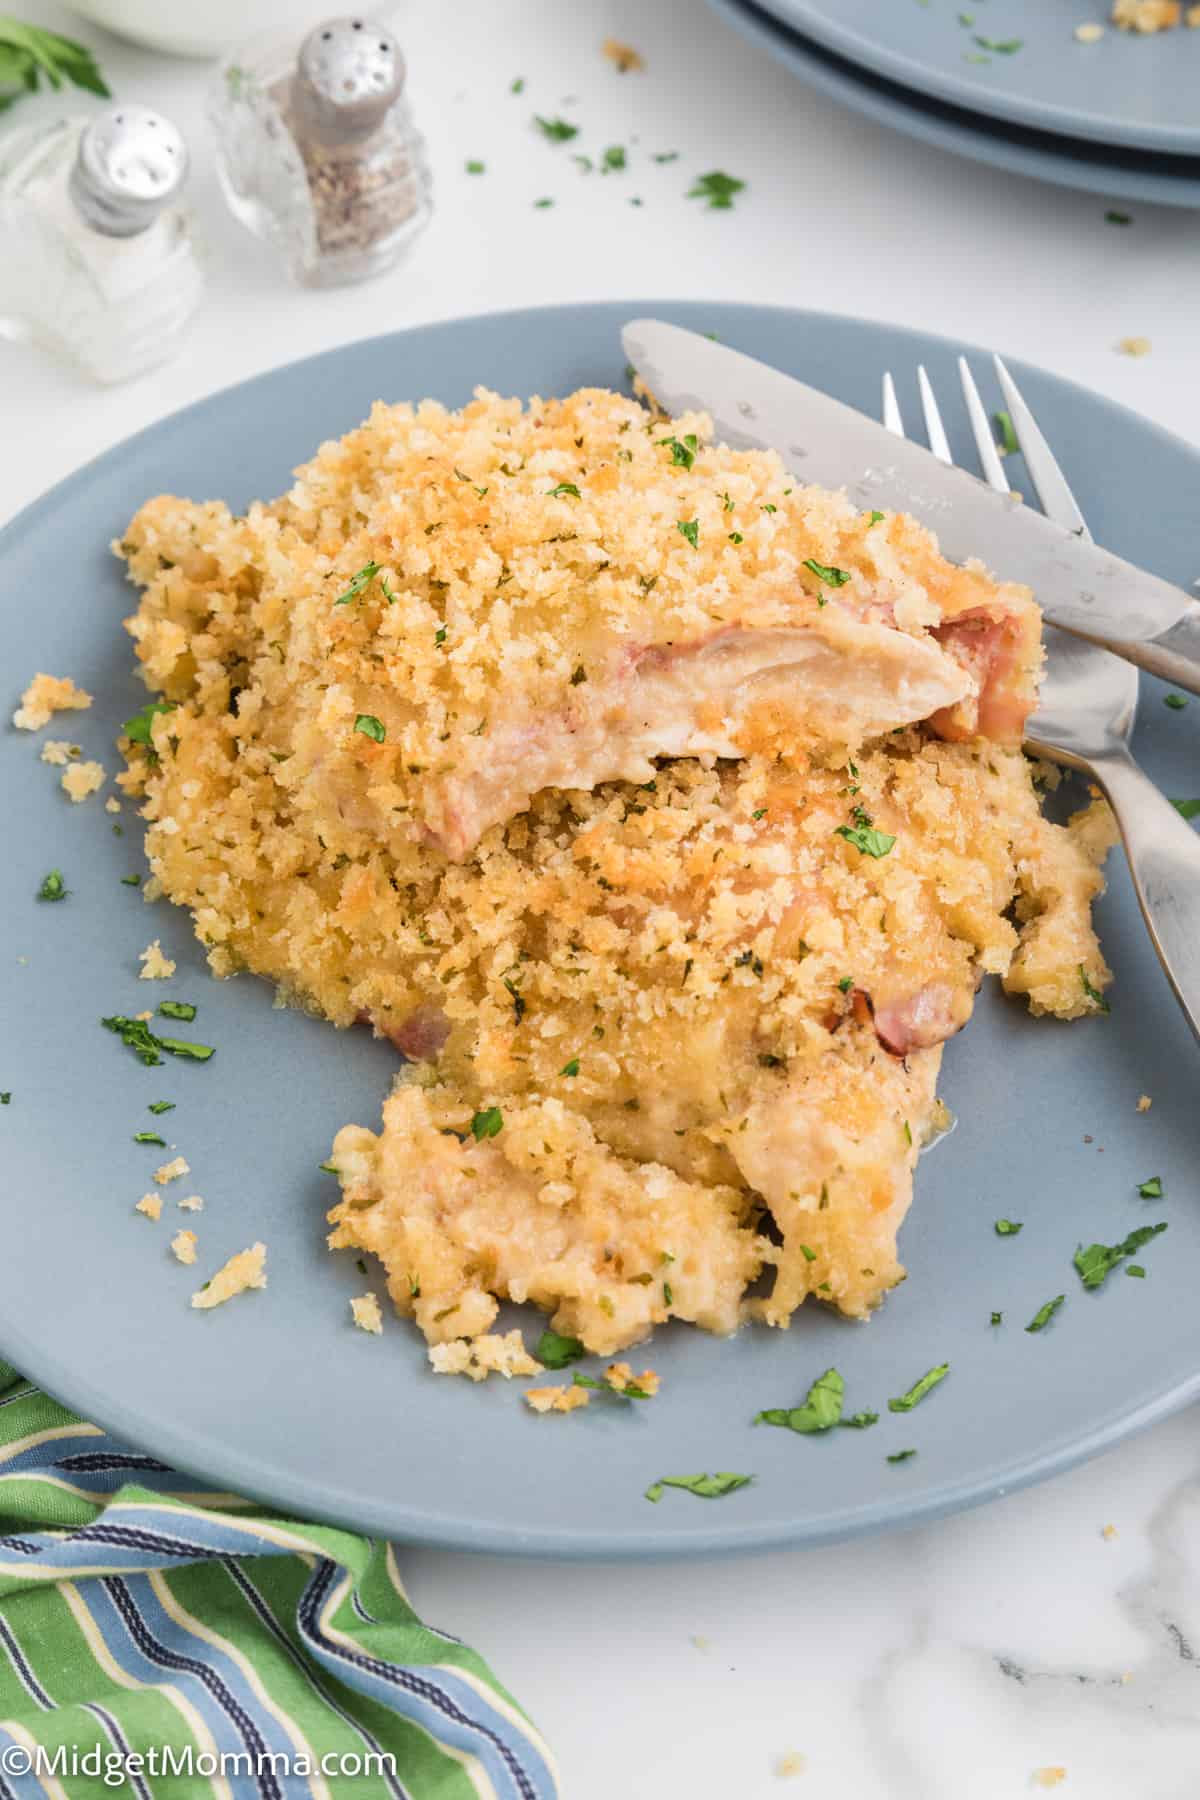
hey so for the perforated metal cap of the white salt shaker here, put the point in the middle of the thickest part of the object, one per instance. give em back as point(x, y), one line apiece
point(130, 165)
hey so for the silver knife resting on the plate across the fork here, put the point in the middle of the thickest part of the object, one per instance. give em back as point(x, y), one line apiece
point(1079, 586)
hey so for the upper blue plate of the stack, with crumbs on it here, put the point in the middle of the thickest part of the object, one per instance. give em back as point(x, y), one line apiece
point(1125, 91)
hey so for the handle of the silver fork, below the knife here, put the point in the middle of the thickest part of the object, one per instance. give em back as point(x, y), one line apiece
point(1165, 861)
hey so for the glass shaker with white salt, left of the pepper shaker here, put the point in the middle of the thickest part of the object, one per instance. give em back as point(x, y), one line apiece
point(98, 262)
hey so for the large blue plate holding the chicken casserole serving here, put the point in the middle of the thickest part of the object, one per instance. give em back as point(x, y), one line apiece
point(276, 1394)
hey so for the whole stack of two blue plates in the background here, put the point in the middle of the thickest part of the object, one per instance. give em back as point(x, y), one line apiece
point(1019, 89)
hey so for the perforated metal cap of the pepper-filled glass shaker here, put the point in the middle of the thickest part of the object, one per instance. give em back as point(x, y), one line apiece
point(348, 75)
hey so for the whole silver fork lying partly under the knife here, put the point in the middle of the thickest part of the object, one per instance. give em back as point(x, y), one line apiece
point(1089, 701)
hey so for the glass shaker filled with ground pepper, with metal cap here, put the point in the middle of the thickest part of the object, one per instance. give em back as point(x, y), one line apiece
point(318, 150)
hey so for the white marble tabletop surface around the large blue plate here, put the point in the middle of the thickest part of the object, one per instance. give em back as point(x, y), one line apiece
point(947, 1664)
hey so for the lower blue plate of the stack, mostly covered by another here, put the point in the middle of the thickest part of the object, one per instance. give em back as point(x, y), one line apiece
point(1071, 163)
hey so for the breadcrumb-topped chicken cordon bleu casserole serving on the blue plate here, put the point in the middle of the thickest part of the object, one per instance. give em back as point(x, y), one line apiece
point(665, 814)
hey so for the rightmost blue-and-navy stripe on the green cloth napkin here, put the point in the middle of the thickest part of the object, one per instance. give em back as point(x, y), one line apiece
point(469, 1723)
